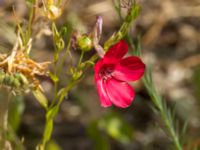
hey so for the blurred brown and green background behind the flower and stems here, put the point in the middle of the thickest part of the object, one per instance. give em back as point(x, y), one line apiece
point(170, 39)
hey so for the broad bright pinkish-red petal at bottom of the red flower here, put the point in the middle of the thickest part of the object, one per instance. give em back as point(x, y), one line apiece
point(120, 93)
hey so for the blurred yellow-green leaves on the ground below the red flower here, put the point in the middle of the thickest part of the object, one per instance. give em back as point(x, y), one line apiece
point(112, 125)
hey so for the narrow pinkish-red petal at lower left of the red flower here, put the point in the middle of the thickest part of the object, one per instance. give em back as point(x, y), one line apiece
point(105, 101)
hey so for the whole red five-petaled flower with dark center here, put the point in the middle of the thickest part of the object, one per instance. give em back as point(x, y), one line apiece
point(112, 73)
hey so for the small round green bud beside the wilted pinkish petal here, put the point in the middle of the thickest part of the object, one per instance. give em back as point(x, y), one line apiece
point(85, 43)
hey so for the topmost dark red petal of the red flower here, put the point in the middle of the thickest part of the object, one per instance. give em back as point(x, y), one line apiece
point(117, 51)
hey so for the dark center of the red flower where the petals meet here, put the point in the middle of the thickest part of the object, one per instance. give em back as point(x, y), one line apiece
point(106, 72)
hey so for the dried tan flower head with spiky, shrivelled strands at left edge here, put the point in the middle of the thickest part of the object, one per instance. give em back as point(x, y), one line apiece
point(18, 71)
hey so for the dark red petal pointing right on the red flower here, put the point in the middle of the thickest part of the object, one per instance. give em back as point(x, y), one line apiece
point(129, 69)
